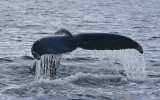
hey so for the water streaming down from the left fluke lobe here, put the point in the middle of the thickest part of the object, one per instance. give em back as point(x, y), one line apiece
point(47, 66)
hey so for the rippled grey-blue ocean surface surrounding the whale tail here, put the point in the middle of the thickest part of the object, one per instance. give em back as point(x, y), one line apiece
point(82, 74)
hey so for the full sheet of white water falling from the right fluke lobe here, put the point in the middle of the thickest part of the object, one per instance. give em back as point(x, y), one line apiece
point(132, 61)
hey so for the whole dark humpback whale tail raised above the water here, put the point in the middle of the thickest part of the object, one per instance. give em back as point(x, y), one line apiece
point(64, 42)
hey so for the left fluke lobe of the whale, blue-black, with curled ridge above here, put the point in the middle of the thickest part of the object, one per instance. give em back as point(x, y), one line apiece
point(54, 45)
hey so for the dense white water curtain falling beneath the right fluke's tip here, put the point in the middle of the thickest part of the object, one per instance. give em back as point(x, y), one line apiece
point(134, 64)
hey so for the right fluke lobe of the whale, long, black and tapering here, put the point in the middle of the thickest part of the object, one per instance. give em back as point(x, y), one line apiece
point(104, 41)
